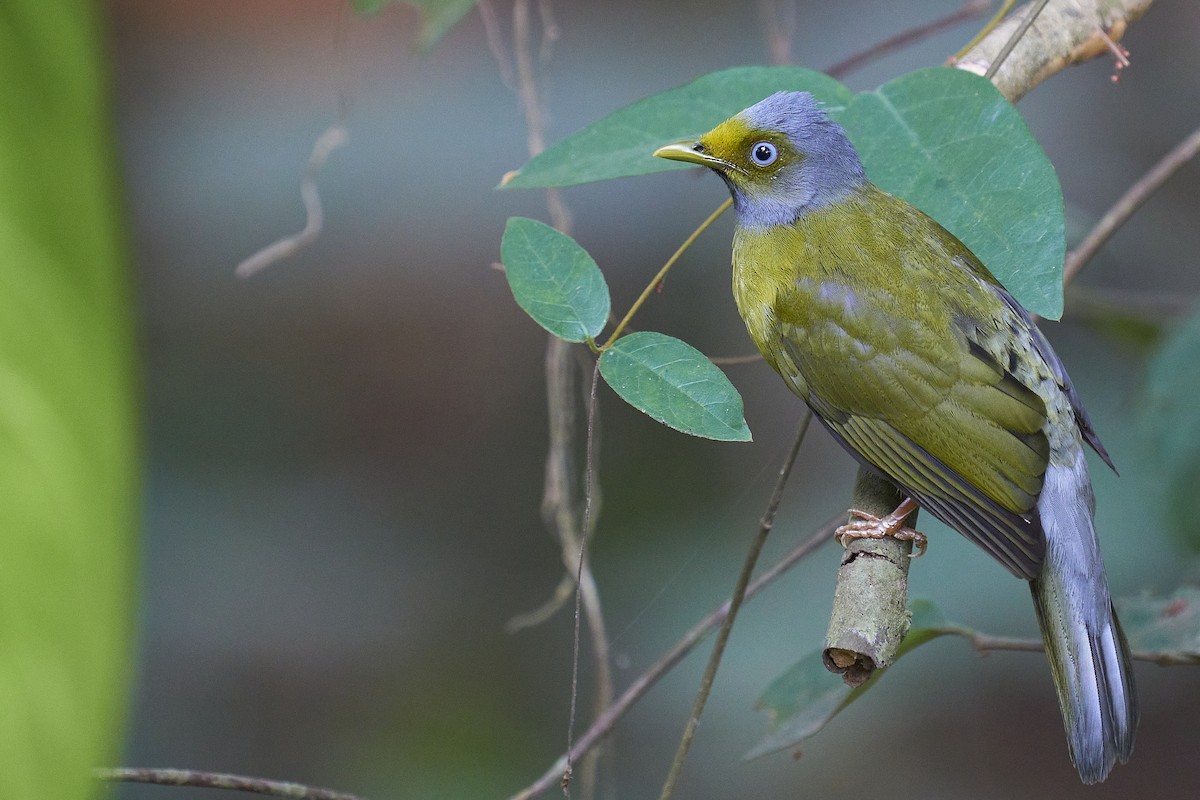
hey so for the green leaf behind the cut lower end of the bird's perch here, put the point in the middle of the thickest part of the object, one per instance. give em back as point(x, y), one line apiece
point(802, 701)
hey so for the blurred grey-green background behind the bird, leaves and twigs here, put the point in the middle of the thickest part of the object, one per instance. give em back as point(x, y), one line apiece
point(345, 454)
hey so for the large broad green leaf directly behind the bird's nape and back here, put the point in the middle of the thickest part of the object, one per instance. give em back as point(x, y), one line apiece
point(951, 145)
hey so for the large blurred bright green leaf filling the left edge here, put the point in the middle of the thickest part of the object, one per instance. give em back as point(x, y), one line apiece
point(68, 446)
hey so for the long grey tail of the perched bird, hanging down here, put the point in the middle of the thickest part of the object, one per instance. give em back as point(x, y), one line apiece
point(1091, 665)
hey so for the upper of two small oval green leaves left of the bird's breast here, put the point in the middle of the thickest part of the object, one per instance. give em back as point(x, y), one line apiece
point(555, 280)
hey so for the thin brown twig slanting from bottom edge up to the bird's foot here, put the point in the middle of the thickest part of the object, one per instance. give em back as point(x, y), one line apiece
point(614, 714)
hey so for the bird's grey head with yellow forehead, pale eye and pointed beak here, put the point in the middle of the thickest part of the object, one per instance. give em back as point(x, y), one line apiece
point(782, 159)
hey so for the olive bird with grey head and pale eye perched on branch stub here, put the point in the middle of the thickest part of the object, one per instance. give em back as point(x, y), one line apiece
point(917, 360)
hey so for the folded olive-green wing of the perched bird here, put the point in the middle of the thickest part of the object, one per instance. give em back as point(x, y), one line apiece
point(931, 408)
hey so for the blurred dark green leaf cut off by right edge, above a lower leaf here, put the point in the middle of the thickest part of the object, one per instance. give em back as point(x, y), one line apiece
point(1169, 420)
